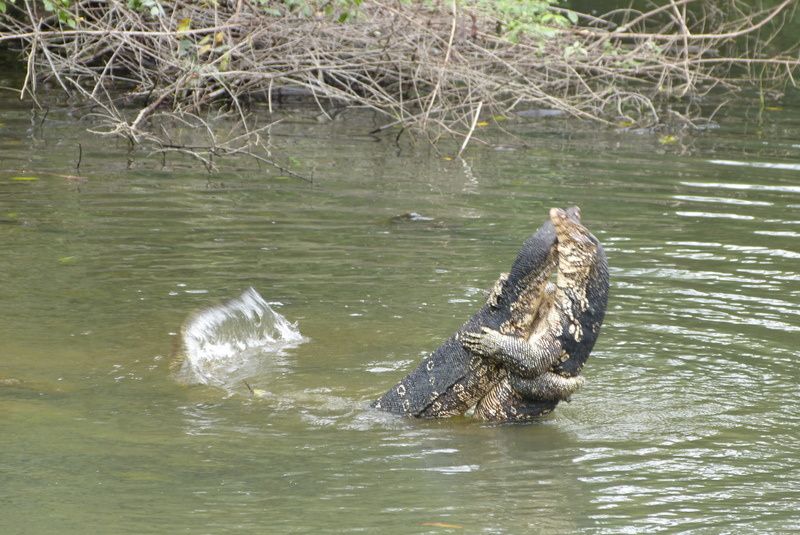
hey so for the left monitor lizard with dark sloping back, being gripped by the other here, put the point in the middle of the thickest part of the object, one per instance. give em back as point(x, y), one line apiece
point(451, 380)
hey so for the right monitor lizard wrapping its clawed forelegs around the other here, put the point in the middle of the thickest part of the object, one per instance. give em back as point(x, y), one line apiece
point(543, 360)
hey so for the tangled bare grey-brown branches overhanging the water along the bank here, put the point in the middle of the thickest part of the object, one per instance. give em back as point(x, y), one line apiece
point(430, 68)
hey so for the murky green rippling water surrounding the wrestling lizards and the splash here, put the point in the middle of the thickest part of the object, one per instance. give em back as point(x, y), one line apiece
point(689, 420)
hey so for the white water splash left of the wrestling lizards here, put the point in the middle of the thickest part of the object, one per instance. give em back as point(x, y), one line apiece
point(226, 344)
